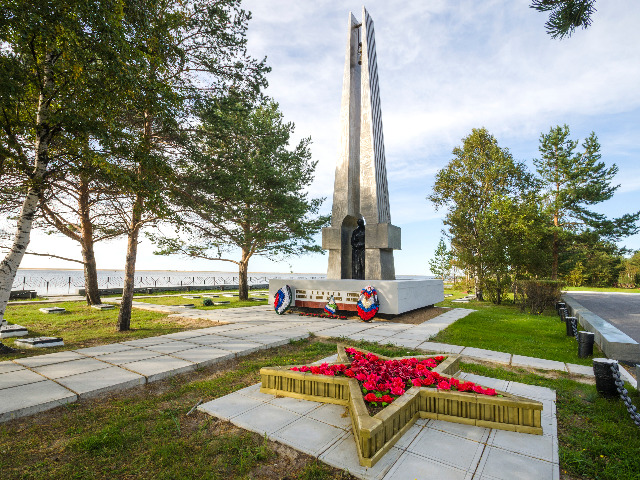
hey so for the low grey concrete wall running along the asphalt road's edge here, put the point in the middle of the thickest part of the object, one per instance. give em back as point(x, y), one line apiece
point(614, 343)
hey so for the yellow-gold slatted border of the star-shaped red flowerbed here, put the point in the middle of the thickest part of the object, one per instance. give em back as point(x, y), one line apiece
point(376, 434)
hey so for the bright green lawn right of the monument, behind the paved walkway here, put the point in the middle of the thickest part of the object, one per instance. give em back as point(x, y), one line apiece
point(504, 328)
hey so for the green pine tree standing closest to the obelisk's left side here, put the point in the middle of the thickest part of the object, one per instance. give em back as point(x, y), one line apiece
point(244, 187)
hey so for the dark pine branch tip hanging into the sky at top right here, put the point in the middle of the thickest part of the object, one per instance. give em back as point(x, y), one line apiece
point(566, 15)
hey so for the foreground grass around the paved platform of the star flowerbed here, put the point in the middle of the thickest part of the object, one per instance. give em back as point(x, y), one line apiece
point(145, 432)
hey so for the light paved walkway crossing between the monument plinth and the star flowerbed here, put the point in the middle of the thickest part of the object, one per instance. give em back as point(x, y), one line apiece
point(33, 384)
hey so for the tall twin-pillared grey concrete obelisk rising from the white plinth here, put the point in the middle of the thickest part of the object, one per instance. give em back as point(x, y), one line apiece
point(360, 189)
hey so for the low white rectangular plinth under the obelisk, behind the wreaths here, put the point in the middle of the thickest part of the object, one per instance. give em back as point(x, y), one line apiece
point(395, 296)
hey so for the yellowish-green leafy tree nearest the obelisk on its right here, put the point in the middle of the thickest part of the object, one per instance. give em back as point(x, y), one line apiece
point(493, 215)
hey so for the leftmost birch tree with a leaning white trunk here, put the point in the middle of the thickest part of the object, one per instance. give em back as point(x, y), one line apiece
point(58, 60)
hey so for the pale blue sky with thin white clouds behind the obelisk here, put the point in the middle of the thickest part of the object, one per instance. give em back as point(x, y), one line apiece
point(445, 67)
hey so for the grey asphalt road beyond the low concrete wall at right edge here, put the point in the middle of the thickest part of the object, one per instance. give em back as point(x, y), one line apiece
point(620, 309)
